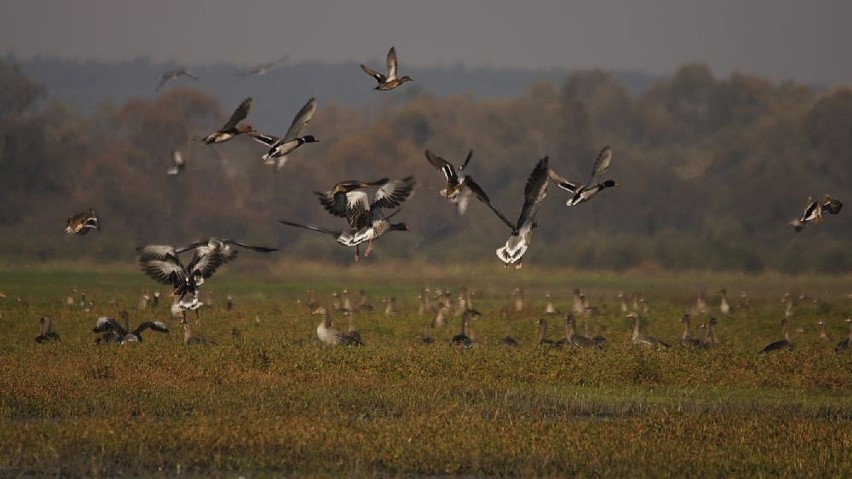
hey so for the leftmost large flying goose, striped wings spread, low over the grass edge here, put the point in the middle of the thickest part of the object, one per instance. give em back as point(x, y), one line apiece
point(162, 264)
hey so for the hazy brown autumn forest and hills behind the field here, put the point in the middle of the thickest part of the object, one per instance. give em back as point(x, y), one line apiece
point(710, 170)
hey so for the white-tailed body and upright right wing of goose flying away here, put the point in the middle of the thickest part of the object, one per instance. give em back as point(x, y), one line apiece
point(535, 191)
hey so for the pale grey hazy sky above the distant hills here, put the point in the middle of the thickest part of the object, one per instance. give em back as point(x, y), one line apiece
point(806, 41)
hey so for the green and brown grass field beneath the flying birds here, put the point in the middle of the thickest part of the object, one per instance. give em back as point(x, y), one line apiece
point(275, 402)
